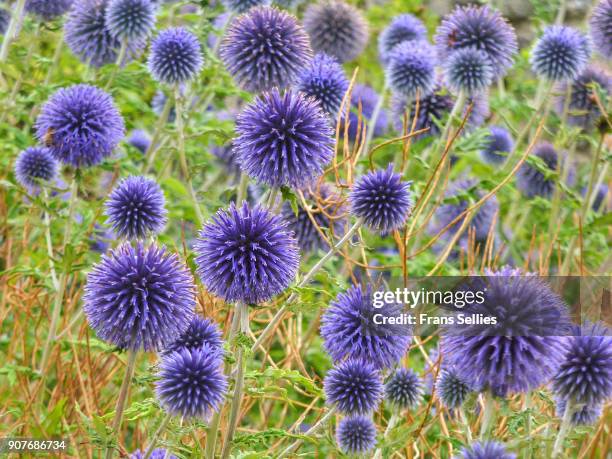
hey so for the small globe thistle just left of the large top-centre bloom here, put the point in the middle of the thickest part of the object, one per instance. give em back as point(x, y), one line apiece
point(175, 56)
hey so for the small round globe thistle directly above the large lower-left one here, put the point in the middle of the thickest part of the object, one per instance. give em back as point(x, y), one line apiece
point(136, 208)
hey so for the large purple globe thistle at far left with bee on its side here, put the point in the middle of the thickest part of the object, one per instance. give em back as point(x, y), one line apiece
point(80, 125)
